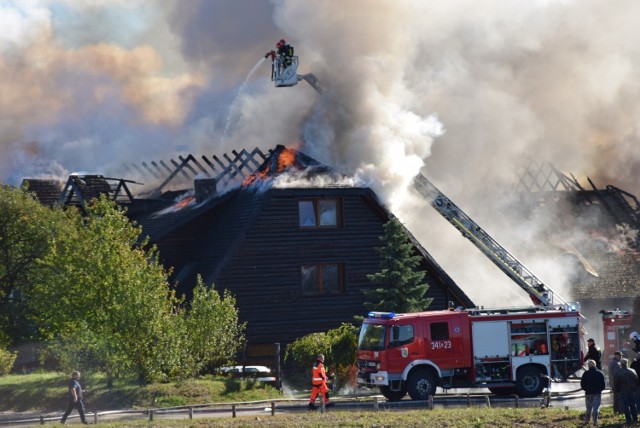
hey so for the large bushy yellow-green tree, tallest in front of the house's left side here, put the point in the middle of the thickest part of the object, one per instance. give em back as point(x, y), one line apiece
point(104, 298)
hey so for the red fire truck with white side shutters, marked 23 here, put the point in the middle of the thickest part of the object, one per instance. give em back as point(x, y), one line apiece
point(505, 350)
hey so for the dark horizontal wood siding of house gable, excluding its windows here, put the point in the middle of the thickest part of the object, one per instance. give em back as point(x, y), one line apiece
point(264, 273)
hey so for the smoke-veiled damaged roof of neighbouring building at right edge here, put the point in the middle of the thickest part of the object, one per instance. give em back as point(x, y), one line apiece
point(595, 229)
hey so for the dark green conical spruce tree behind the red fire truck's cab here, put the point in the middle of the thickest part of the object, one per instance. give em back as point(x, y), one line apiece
point(400, 287)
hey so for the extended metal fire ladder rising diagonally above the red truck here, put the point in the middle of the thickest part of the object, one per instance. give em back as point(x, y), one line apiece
point(539, 292)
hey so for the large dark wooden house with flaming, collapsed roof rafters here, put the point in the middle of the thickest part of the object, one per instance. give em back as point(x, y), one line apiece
point(292, 239)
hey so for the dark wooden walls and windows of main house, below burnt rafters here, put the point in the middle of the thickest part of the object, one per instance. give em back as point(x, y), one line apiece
point(296, 259)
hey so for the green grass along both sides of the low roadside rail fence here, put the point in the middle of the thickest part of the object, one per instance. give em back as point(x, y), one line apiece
point(46, 393)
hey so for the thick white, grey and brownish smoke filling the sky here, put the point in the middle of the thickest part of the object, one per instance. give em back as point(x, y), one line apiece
point(465, 90)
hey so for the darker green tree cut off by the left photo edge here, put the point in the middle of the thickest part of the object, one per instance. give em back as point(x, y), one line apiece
point(26, 230)
